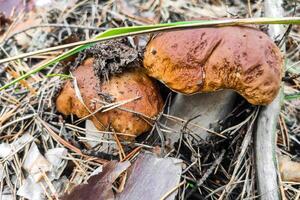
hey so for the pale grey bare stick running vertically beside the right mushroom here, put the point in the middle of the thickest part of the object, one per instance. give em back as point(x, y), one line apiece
point(265, 139)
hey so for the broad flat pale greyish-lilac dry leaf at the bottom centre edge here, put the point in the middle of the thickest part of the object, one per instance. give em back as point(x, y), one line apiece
point(151, 177)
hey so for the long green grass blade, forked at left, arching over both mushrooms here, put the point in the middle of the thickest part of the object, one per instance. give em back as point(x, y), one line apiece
point(136, 30)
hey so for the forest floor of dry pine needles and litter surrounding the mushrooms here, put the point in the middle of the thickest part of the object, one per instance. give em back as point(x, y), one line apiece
point(37, 141)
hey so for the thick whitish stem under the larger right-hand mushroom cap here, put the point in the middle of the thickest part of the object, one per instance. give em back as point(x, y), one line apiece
point(211, 107)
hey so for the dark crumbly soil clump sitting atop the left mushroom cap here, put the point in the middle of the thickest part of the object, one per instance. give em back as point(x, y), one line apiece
point(110, 57)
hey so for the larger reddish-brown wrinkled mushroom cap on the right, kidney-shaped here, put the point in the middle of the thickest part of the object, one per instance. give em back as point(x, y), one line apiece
point(209, 59)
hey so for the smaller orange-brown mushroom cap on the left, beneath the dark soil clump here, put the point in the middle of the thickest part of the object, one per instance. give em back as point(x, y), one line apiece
point(128, 85)
